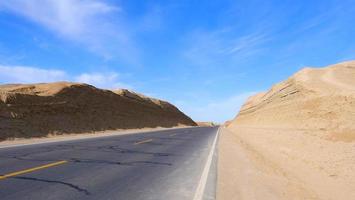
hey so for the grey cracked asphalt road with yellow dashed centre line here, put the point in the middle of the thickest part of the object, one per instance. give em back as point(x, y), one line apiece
point(164, 165)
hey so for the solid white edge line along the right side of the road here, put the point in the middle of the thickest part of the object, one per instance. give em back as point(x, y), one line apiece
point(203, 180)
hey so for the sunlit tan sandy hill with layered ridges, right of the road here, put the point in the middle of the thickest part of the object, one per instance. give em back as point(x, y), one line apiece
point(322, 98)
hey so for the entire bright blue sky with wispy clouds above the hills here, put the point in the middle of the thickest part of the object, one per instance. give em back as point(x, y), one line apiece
point(206, 57)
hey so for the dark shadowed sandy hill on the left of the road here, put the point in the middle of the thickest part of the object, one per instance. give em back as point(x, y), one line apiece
point(39, 109)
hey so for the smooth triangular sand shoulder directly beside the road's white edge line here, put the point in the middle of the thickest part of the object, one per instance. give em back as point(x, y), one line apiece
point(244, 174)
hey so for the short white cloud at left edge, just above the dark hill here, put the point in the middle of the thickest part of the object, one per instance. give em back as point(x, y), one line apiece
point(23, 74)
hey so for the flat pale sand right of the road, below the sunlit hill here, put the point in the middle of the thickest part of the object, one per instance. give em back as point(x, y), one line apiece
point(273, 164)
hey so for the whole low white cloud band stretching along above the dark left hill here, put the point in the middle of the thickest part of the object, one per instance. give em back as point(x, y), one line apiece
point(26, 74)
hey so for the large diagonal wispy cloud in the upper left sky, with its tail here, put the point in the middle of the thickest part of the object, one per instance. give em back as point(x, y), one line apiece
point(94, 24)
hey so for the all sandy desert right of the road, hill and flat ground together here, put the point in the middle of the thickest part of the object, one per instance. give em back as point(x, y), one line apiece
point(295, 141)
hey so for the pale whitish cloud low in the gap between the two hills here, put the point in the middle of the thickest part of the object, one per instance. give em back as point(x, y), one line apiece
point(217, 111)
